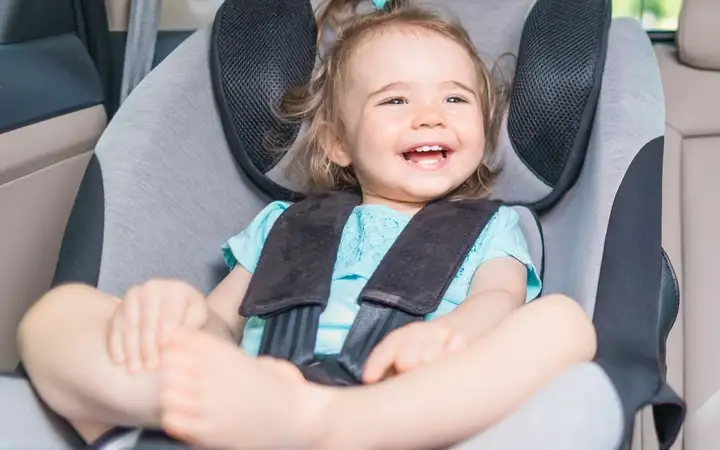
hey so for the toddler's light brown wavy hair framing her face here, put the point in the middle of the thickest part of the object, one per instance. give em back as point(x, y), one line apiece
point(317, 105)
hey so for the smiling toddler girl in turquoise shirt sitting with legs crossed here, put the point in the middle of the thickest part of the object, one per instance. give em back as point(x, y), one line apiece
point(402, 109)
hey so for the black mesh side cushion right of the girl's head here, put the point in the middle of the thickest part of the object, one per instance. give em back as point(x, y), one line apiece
point(556, 89)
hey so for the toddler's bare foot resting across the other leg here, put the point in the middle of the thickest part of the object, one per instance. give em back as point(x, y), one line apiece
point(214, 396)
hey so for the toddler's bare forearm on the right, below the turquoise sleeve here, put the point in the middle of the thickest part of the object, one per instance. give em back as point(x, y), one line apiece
point(499, 287)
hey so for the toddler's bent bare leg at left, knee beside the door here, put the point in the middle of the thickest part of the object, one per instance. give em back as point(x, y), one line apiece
point(62, 342)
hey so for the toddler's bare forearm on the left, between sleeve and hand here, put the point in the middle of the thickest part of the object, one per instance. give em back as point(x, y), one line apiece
point(224, 302)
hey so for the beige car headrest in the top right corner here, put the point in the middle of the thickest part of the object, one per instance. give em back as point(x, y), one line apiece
point(698, 34)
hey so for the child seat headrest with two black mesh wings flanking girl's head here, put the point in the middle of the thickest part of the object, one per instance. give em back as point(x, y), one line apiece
point(262, 47)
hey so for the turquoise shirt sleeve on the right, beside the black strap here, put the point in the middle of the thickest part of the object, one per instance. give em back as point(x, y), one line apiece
point(504, 238)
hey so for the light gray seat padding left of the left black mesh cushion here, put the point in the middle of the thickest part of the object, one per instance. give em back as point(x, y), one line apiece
point(175, 194)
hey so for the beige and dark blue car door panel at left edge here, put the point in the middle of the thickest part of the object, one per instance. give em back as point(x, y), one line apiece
point(51, 116)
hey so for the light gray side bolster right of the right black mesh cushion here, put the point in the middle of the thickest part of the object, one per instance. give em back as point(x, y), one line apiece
point(630, 114)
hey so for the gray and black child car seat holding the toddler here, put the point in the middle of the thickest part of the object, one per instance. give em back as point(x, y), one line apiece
point(180, 168)
